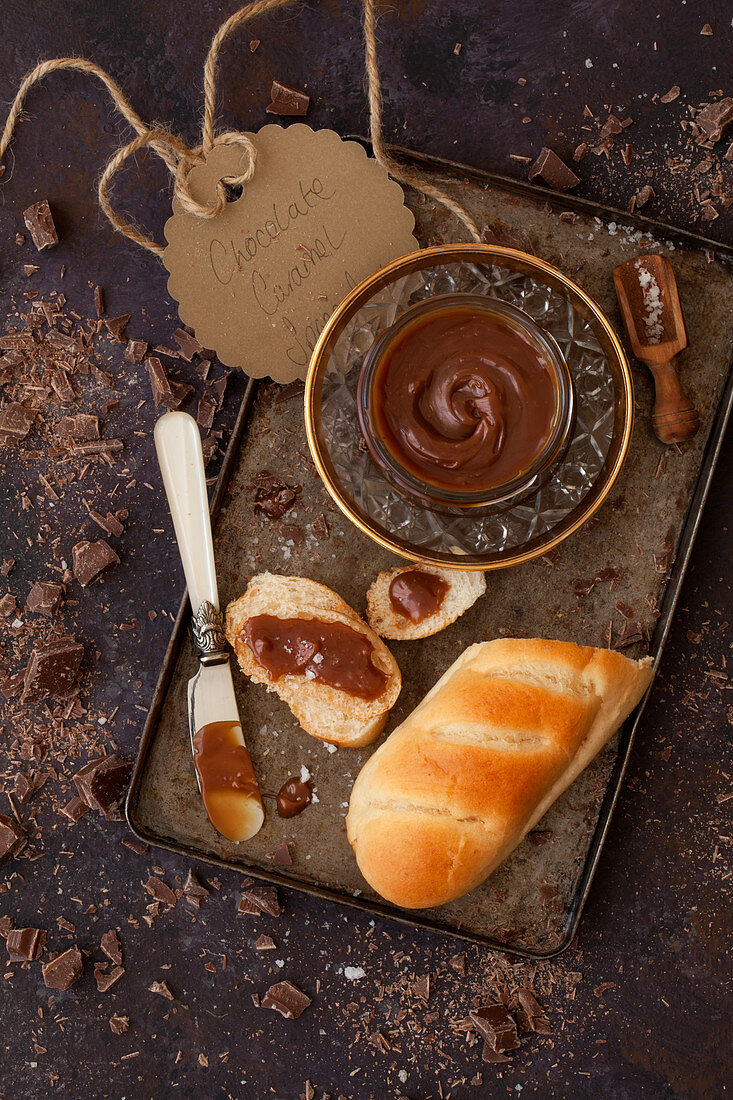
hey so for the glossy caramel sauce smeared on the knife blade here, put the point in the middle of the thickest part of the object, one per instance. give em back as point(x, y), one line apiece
point(224, 766)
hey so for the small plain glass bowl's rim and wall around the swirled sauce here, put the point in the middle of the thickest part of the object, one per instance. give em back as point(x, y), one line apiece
point(435, 497)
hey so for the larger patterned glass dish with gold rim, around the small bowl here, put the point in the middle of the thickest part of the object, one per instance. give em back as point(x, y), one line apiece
point(495, 536)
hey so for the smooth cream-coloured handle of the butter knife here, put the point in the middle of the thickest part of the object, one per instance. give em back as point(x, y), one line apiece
point(180, 455)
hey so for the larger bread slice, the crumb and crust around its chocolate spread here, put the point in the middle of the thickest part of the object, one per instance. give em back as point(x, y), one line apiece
point(326, 712)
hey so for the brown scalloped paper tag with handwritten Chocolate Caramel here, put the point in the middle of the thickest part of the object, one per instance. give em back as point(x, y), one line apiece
point(259, 282)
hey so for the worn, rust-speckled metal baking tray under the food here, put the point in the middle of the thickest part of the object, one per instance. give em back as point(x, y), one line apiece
point(531, 907)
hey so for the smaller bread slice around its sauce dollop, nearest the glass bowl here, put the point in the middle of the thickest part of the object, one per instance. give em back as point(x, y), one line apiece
point(463, 592)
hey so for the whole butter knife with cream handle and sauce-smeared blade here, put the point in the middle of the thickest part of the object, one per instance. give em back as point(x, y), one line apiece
point(224, 769)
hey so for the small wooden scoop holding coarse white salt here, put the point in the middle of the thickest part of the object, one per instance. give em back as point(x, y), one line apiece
point(655, 327)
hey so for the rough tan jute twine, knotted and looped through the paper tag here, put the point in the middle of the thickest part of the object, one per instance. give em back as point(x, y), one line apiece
point(180, 159)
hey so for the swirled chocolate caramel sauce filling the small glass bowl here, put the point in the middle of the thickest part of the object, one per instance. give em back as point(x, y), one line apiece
point(463, 401)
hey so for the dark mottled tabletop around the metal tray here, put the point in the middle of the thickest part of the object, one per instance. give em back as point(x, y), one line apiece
point(657, 921)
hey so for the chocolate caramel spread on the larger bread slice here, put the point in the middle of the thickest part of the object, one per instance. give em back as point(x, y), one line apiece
point(326, 653)
